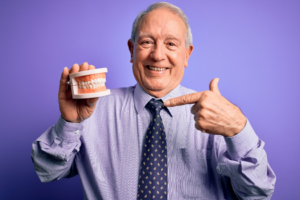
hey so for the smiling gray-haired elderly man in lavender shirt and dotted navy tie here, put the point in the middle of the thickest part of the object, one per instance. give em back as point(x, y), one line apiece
point(138, 143)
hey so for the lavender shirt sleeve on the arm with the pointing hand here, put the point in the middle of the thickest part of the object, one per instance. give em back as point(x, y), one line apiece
point(244, 160)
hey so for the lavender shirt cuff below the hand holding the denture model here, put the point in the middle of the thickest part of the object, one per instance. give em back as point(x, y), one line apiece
point(68, 131)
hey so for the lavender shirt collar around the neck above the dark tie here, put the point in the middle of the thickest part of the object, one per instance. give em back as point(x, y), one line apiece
point(141, 98)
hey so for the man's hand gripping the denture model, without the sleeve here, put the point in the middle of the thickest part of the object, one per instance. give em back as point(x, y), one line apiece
point(74, 110)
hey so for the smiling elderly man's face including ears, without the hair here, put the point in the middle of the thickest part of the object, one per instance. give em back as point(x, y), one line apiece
point(159, 54)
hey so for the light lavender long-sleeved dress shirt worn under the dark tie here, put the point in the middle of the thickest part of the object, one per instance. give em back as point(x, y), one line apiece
point(105, 150)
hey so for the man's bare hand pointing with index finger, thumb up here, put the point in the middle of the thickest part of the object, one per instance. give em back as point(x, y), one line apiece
point(212, 112)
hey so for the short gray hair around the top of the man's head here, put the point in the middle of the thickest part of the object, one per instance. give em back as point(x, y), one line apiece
point(175, 10)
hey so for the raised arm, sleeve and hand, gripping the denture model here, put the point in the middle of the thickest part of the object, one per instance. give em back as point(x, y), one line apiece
point(54, 151)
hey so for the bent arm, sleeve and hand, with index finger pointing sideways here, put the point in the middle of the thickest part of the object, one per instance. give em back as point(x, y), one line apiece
point(243, 158)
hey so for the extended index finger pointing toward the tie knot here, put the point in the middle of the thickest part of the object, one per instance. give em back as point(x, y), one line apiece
point(184, 99)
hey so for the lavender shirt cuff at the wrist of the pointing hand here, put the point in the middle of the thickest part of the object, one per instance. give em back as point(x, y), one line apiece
point(240, 144)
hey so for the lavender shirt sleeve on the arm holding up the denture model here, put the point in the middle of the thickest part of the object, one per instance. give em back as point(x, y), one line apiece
point(54, 151)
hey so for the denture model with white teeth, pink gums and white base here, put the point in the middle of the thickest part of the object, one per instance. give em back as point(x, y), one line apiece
point(89, 84)
